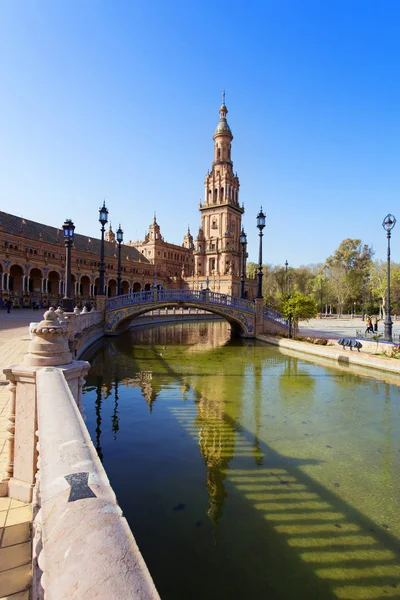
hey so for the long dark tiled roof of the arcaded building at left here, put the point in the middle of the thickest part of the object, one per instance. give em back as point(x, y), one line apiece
point(39, 232)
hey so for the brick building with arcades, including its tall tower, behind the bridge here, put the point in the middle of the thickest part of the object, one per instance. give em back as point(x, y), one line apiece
point(32, 255)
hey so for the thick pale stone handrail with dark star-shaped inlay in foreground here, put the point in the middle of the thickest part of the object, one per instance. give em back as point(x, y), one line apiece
point(83, 547)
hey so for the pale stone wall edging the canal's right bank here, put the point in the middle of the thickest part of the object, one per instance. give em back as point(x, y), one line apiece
point(336, 353)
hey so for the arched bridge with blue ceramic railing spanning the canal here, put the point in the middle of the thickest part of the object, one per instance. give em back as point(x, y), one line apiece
point(248, 317)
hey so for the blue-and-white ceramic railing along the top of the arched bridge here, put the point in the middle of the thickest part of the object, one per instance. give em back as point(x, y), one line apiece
point(156, 296)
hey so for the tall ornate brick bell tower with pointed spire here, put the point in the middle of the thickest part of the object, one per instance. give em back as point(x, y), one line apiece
point(217, 248)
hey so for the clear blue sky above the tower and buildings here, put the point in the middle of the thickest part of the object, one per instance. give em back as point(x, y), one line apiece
point(119, 100)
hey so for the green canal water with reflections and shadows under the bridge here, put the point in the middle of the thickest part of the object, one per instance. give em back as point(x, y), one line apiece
point(247, 473)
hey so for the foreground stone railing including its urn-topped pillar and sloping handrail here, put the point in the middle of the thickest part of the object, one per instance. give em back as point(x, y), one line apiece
point(83, 547)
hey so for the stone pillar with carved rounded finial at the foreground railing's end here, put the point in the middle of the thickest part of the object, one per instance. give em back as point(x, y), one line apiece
point(49, 348)
